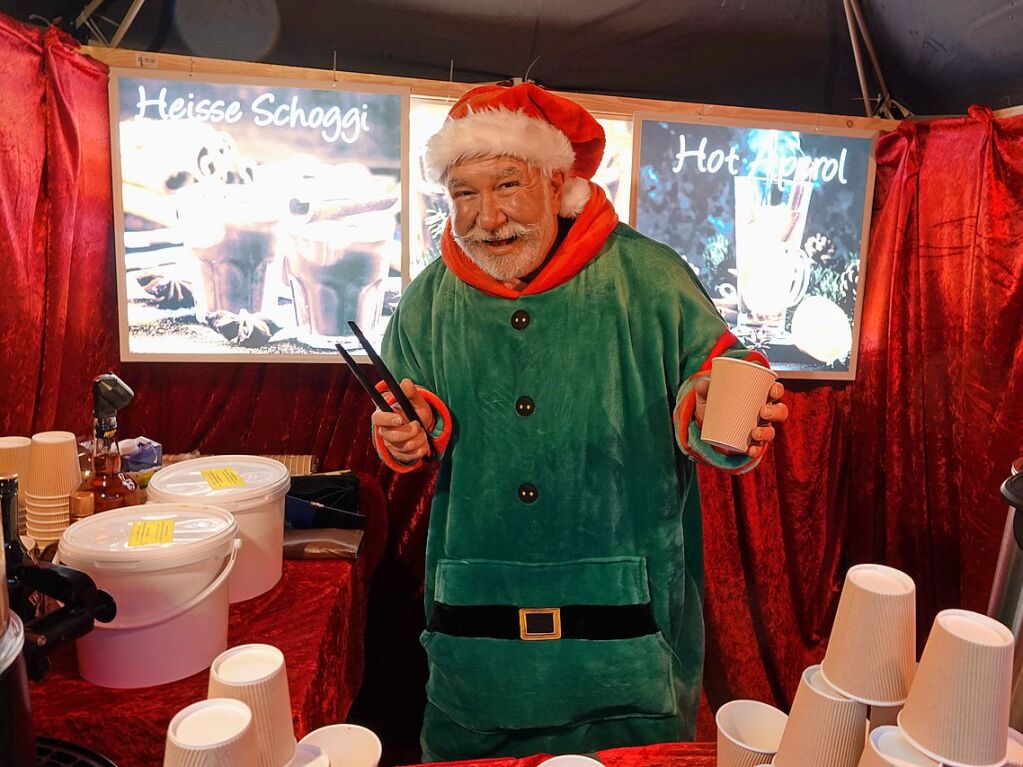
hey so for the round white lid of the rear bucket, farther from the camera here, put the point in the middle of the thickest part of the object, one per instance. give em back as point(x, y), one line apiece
point(261, 478)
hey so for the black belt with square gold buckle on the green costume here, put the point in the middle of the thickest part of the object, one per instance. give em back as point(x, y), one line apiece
point(570, 622)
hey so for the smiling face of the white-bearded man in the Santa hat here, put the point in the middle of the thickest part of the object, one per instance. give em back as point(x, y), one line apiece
point(504, 214)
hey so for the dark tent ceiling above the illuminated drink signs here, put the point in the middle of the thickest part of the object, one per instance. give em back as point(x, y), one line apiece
point(940, 56)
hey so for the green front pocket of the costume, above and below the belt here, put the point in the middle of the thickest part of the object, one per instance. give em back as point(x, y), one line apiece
point(495, 685)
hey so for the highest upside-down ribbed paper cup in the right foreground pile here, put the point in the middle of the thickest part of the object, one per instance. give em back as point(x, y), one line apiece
point(872, 653)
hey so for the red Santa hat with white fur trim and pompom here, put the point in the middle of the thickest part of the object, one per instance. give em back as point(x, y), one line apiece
point(541, 128)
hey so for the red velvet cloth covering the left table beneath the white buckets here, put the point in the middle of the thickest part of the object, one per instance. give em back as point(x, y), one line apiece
point(316, 615)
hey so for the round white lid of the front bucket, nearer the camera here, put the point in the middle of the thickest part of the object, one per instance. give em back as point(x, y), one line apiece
point(104, 542)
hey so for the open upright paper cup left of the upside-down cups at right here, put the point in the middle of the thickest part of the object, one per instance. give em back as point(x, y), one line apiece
point(748, 734)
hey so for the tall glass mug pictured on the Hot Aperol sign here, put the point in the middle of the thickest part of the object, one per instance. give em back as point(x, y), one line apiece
point(772, 272)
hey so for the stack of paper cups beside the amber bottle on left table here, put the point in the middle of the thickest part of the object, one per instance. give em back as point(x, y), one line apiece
point(54, 476)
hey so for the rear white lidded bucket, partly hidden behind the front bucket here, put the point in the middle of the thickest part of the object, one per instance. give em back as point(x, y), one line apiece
point(257, 504)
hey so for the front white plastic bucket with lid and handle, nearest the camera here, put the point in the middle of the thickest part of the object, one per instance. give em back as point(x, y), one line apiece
point(171, 594)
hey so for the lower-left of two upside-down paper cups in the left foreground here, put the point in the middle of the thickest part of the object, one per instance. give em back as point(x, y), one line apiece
point(212, 734)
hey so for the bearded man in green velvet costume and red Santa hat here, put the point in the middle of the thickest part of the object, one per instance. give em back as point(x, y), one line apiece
point(561, 362)
